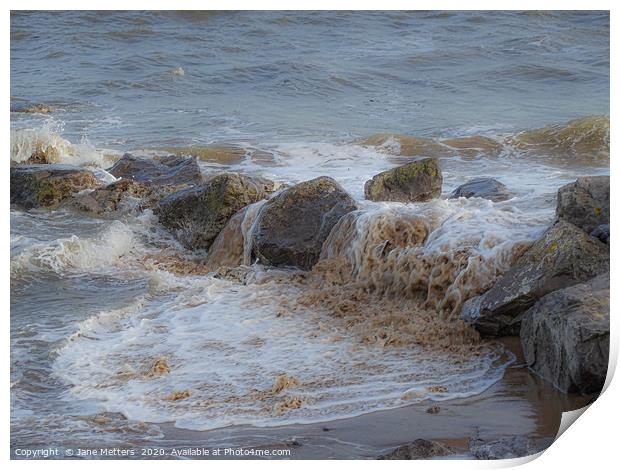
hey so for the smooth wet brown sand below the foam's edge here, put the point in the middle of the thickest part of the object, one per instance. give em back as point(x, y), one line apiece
point(520, 404)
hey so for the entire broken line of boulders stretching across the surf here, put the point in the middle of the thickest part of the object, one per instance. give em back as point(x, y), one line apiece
point(556, 296)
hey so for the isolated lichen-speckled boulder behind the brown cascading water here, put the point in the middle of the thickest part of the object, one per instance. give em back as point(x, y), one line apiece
point(417, 181)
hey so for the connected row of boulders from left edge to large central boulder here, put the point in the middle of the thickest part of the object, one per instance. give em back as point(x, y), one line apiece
point(289, 231)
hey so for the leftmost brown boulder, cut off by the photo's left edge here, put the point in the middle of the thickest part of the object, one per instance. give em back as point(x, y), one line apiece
point(48, 185)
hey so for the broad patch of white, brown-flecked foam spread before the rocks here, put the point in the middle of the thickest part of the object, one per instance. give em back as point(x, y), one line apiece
point(227, 350)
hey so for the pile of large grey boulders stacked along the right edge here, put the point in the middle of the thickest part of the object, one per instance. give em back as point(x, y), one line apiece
point(556, 296)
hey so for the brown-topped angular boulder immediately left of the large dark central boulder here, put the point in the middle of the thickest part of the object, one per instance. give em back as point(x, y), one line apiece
point(196, 215)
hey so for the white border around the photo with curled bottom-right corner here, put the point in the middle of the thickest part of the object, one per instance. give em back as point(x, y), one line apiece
point(589, 444)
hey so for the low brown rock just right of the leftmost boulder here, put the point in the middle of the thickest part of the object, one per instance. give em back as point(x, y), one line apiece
point(111, 197)
